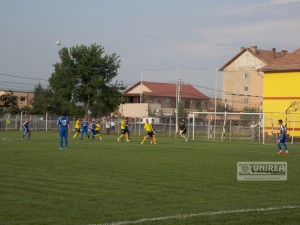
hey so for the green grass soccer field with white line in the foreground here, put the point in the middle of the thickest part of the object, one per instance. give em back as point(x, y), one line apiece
point(173, 182)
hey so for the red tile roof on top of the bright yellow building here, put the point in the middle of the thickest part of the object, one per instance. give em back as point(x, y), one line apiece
point(290, 62)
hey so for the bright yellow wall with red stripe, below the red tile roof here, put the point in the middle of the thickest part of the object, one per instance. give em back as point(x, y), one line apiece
point(279, 92)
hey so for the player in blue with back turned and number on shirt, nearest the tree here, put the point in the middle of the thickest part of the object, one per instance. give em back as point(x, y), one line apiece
point(63, 125)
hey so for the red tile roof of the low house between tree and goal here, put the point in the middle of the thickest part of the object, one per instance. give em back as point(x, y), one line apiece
point(168, 90)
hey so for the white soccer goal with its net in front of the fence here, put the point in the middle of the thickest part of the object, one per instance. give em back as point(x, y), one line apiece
point(221, 126)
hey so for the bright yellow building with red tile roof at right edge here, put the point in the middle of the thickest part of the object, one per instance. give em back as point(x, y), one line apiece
point(281, 93)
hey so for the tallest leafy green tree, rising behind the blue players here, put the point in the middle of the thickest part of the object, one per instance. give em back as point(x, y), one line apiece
point(83, 78)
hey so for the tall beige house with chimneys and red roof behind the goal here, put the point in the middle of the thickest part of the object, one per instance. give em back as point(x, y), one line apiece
point(242, 85)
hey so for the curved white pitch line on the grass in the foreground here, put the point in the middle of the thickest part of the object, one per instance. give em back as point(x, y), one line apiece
point(184, 216)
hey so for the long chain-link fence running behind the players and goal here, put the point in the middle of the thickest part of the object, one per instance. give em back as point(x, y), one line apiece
point(250, 127)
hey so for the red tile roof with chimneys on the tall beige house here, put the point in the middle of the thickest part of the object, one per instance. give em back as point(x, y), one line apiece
point(266, 56)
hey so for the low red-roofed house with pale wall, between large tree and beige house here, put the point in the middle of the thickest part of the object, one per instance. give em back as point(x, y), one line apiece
point(160, 99)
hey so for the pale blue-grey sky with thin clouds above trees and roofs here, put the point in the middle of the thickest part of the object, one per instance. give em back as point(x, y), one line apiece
point(147, 34)
